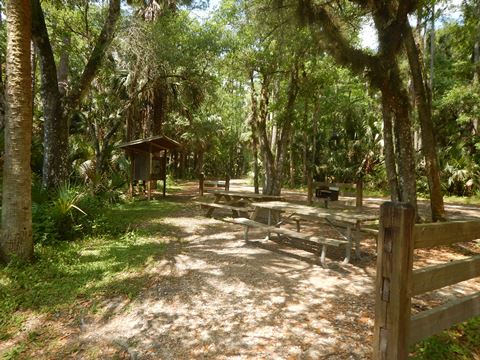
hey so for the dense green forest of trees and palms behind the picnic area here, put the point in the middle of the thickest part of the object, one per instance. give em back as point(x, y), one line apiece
point(278, 91)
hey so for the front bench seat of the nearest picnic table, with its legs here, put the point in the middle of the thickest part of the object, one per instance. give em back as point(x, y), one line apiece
point(316, 240)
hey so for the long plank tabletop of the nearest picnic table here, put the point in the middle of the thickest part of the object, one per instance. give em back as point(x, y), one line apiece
point(351, 216)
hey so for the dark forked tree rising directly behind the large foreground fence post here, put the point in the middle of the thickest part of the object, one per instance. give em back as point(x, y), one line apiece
point(382, 69)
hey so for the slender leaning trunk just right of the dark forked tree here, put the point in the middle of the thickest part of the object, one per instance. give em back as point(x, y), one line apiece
point(424, 109)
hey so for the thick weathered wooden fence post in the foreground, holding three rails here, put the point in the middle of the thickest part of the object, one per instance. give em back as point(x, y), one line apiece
point(393, 283)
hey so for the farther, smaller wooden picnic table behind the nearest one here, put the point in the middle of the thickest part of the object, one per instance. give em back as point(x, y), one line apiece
point(237, 201)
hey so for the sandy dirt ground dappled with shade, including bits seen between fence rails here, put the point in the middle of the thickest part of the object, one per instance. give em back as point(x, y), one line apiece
point(217, 297)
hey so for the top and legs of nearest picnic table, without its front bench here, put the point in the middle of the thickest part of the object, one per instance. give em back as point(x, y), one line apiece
point(351, 219)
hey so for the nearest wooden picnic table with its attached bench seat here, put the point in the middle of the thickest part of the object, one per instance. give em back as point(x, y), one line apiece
point(349, 219)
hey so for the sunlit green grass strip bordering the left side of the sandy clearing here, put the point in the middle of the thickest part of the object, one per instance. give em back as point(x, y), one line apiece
point(67, 274)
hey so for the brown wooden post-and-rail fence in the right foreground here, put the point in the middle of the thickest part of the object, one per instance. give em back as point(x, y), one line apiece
point(395, 328)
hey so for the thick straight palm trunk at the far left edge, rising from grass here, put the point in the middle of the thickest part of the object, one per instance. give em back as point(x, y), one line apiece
point(16, 233)
